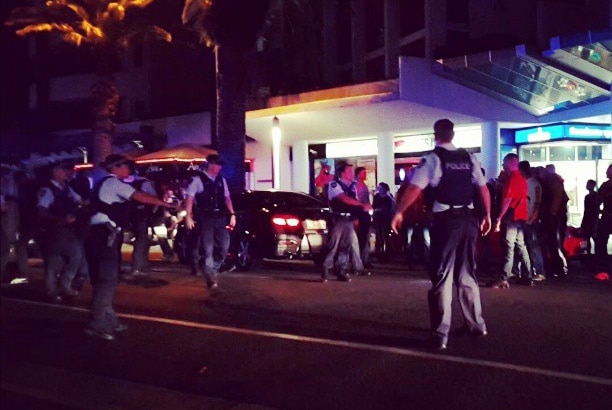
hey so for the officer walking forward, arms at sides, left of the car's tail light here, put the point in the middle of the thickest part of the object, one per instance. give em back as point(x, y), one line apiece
point(213, 213)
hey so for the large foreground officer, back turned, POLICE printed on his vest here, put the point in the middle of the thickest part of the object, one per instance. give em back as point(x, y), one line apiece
point(451, 172)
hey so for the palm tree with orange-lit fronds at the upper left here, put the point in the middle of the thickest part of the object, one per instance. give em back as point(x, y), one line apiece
point(108, 27)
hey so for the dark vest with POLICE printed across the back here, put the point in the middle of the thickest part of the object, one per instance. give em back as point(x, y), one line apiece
point(455, 187)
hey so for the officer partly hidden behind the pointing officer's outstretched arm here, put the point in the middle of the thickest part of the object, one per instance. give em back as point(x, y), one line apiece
point(140, 217)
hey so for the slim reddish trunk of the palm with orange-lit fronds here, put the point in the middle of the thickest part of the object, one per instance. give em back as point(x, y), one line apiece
point(105, 102)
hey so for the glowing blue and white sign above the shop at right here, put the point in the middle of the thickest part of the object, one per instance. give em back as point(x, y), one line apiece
point(558, 132)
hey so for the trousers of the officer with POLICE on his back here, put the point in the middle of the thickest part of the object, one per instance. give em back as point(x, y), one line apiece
point(453, 259)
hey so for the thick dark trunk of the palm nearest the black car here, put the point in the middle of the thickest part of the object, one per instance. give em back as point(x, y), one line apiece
point(231, 108)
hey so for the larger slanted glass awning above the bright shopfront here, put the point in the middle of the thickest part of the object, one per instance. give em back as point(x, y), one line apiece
point(522, 80)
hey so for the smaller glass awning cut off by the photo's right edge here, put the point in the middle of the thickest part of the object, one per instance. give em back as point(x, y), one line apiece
point(587, 54)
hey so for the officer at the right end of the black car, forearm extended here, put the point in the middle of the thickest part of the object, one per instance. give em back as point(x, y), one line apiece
point(342, 242)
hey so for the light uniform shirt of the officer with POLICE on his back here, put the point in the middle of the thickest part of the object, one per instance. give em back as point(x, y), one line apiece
point(429, 172)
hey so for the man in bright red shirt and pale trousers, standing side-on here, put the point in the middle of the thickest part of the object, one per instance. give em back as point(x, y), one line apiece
point(513, 217)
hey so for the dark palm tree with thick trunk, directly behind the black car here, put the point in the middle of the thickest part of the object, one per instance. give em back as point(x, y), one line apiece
point(232, 28)
